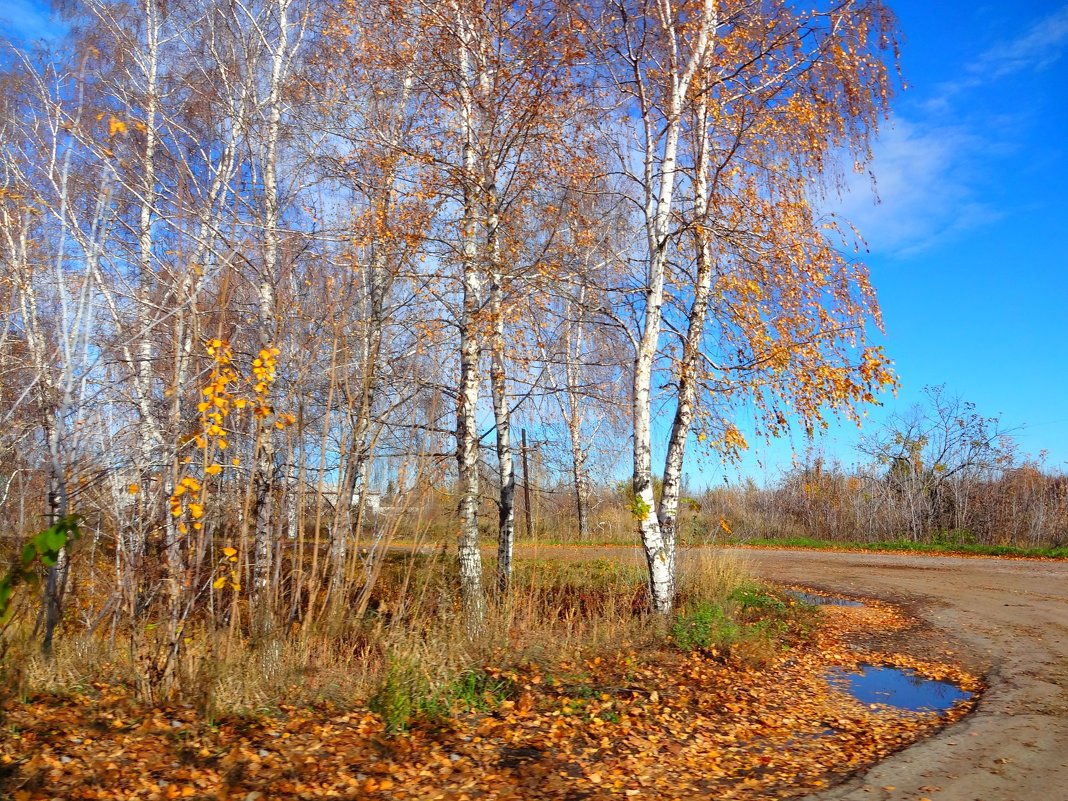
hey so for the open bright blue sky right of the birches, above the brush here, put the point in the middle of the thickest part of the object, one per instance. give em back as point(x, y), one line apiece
point(969, 243)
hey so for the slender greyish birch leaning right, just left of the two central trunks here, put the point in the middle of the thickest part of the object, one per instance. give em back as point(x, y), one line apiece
point(373, 113)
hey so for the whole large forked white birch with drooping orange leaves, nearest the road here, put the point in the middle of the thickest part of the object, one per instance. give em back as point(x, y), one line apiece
point(741, 112)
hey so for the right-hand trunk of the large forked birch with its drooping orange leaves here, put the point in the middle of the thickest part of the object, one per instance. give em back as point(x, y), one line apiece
point(789, 311)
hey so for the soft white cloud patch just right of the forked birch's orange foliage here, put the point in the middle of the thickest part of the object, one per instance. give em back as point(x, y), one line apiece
point(925, 190)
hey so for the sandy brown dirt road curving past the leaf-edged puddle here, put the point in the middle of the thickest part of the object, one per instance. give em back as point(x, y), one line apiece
point(1007, 619)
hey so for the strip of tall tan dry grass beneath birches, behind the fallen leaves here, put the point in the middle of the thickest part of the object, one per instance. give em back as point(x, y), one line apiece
point(557, 611)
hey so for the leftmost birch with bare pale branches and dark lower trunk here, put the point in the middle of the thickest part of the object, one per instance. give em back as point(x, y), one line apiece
point(54, 217)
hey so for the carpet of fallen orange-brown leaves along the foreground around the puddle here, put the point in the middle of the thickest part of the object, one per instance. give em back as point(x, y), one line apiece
point(639, 724)
